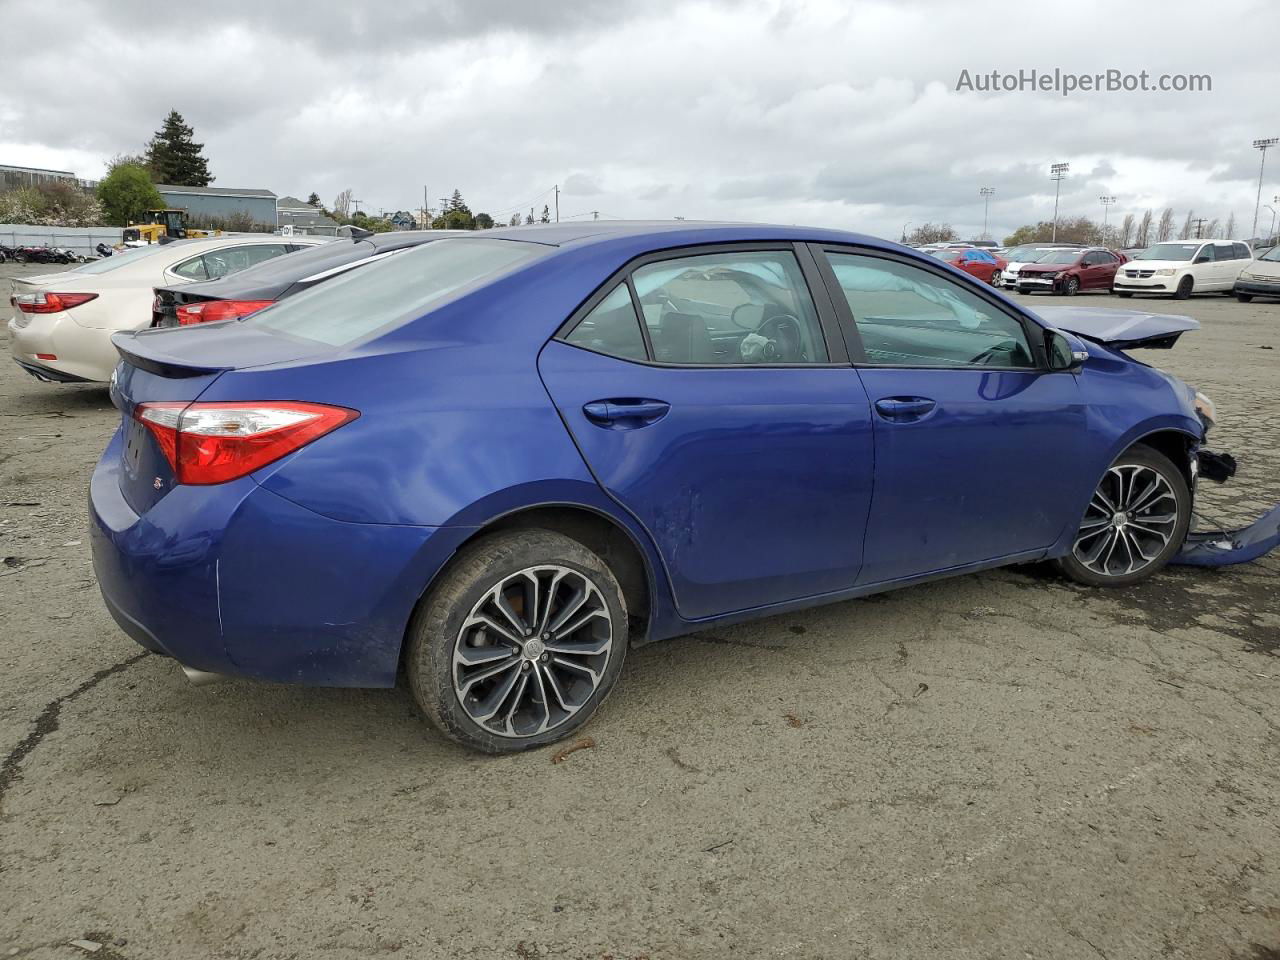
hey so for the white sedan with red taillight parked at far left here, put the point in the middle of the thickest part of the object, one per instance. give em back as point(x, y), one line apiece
point(63, 323)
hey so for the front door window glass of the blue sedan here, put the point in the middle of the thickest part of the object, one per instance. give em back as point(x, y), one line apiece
point(908, 317)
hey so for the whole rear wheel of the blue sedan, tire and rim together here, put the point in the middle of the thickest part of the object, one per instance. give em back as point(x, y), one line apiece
point(541, 698)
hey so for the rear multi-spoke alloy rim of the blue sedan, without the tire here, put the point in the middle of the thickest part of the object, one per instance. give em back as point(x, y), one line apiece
point(533, 651)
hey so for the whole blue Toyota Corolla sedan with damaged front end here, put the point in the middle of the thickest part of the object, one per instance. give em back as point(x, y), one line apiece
point(499, 461)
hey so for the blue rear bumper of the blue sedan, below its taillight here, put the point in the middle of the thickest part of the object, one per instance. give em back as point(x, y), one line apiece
point(237, 580)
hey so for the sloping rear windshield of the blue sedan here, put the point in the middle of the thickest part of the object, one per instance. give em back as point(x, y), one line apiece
point(355, 305)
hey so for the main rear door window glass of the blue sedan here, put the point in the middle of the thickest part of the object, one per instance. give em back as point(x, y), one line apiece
point(733, 308)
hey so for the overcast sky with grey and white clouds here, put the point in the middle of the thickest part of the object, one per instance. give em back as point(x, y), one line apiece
point(842, 115)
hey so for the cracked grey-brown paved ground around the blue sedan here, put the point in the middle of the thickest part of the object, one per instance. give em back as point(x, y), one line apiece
point(999, 766)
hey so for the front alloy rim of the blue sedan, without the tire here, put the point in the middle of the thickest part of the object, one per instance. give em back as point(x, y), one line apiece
point(1130, 522)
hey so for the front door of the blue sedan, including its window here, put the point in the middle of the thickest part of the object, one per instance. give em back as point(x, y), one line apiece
point(977, 445)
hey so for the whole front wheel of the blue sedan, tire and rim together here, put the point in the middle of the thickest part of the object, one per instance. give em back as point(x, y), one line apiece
point(1112, 524)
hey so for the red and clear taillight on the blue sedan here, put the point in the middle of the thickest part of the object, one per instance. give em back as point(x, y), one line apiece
point(212, 444)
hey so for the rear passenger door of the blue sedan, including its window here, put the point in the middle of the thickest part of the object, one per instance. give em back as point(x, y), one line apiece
point(711, 395)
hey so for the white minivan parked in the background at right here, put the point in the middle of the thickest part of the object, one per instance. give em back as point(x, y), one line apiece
point(1183, 268)
